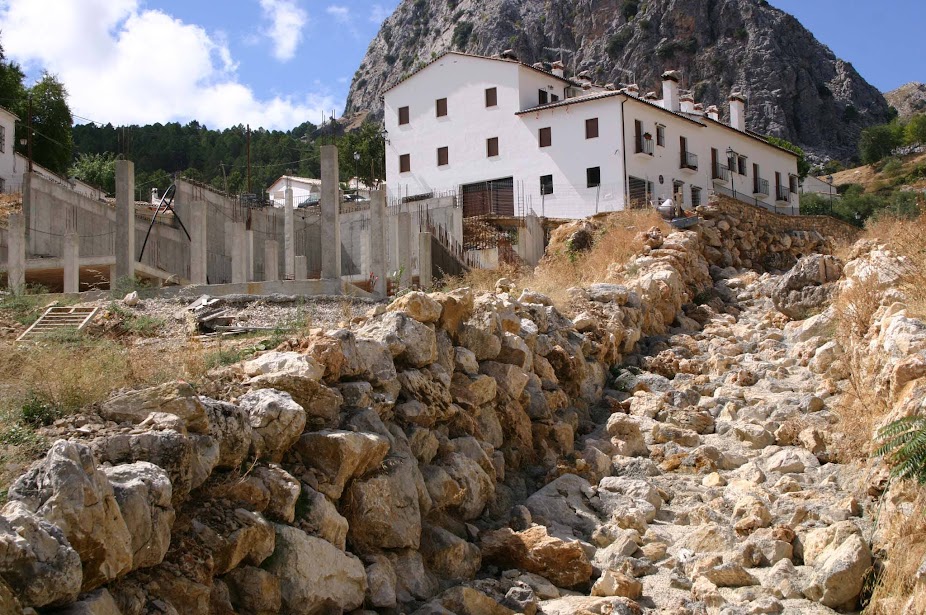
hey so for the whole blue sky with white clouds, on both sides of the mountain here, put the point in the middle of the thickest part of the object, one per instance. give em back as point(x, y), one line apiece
point(277, 63)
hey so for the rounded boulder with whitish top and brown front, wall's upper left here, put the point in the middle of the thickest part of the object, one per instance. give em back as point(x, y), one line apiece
point(276, 422)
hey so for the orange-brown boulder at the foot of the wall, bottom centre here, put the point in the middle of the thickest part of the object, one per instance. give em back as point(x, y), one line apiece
point(564, 563)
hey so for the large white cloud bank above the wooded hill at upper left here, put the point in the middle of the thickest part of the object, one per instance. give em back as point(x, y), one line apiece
point(123, 64)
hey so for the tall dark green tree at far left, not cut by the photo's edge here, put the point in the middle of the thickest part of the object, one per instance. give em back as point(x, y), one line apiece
point(51, 123)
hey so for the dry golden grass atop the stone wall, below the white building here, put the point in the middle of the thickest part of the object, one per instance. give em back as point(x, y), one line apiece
point(615, 243)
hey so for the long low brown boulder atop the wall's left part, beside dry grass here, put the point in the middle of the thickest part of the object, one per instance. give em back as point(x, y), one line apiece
point(177, 398)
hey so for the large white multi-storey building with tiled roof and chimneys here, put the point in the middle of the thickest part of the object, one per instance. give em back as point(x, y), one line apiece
point(512, 138)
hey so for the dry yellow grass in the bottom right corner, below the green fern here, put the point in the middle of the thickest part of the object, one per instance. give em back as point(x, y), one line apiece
point(905, 540)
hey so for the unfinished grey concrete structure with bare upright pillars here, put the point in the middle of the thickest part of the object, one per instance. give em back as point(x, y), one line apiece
point(210, 238)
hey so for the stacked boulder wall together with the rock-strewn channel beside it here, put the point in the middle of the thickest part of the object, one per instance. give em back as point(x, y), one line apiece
point(470, 453)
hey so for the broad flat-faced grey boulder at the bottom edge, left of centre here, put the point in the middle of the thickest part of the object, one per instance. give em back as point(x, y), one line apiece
point(315, 577)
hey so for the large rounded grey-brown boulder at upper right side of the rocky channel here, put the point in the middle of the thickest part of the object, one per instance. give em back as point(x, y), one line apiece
point(807, 287)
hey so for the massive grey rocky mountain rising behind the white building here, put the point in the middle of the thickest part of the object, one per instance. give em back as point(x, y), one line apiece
point(797, 88)
